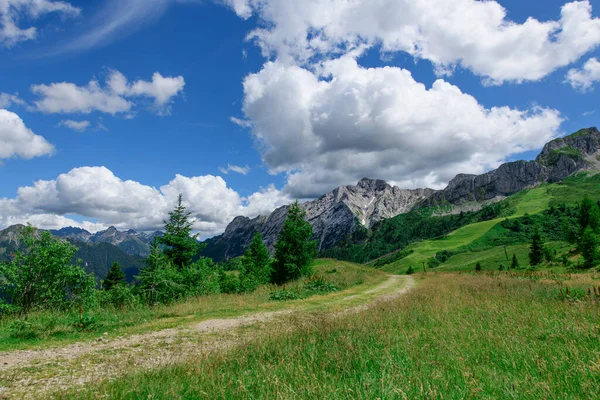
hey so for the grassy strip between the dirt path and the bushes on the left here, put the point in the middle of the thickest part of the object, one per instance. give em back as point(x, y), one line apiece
point(56, 329)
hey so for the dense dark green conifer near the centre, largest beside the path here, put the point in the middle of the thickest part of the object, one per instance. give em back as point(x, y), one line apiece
point(294, 251)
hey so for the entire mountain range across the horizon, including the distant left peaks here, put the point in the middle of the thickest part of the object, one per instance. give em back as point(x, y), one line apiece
point(346, 209)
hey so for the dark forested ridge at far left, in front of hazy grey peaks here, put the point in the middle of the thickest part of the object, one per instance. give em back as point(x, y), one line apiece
point(96, 258)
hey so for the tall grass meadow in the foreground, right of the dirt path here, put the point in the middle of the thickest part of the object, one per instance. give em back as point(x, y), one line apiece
point(457, 336)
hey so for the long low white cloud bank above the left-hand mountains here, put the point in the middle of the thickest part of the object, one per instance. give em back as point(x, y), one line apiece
point(96, 193)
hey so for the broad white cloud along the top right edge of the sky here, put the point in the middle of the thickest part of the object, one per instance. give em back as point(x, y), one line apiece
point(476, 35)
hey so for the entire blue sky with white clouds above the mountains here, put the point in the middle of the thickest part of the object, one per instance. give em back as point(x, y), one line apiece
point(109, 109)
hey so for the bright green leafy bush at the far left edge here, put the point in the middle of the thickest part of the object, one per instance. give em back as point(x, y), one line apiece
point(41, 276)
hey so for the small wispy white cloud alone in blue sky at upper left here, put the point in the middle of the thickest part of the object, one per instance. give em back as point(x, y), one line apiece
point(112, 98)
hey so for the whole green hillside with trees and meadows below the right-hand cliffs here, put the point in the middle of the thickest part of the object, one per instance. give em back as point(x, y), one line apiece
point(490, 236)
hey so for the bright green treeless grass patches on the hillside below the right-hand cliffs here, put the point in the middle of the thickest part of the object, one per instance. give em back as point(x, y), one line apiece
point(530, 202)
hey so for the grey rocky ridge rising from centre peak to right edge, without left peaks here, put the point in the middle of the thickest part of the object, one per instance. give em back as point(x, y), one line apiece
point(341, 212)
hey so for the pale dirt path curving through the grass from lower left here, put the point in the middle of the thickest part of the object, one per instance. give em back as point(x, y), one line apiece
point(31, 373)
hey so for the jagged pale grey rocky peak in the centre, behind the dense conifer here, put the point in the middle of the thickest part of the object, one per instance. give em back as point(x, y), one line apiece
point(333, 216)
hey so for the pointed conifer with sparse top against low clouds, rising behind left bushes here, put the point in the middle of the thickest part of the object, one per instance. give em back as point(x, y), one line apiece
point(180, 246)
